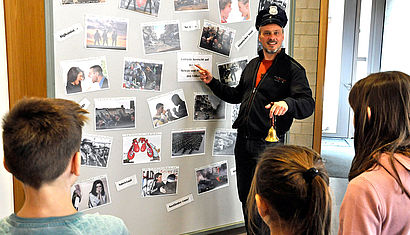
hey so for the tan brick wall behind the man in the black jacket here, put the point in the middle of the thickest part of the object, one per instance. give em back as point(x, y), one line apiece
point(306, 37)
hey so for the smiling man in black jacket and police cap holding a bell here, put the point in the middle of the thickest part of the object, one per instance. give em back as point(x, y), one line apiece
point(272, 86)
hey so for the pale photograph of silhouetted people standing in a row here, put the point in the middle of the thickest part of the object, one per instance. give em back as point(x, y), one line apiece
point(106, 32)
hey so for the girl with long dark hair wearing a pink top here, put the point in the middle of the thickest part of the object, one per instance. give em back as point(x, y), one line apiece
point(377, 200)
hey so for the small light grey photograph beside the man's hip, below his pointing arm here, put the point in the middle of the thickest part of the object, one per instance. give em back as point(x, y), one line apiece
point(224, 142)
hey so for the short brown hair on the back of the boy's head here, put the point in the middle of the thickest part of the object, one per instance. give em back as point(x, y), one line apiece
point(40, 135)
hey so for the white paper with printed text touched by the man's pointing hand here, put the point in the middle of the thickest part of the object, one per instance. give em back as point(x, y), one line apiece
point(186, 65)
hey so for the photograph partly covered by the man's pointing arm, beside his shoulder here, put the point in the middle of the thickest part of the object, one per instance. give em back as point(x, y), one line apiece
point(230, 72)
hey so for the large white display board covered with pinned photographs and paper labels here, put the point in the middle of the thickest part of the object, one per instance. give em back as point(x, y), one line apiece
point(131, 40)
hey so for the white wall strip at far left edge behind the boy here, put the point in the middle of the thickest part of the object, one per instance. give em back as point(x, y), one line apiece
point(6, 183)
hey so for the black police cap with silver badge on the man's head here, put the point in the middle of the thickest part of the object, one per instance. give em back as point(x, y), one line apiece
point(274, 14)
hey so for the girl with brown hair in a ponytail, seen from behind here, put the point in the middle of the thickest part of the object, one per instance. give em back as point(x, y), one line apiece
point(290, 191)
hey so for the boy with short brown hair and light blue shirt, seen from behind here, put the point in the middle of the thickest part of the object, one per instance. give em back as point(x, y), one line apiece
point(41, 141)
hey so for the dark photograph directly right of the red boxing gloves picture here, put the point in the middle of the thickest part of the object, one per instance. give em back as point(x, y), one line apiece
point(188, 143)
